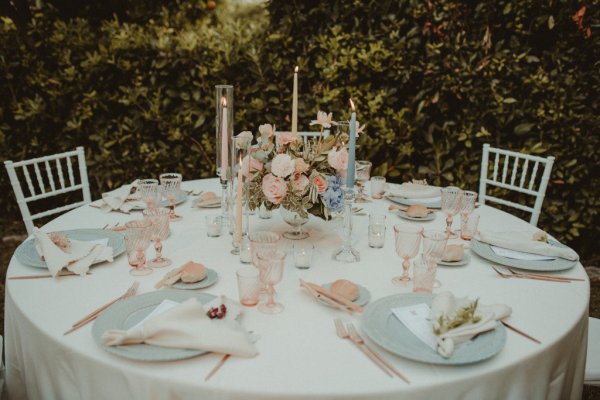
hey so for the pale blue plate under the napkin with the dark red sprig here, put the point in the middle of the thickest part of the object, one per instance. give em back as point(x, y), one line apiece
point(130, 311)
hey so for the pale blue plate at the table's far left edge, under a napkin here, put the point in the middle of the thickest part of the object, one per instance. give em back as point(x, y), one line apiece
point(27, 254)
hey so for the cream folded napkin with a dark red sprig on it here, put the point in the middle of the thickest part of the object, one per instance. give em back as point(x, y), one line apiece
point(187, 326)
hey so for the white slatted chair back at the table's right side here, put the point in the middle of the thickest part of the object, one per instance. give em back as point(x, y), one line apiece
point(518, 172)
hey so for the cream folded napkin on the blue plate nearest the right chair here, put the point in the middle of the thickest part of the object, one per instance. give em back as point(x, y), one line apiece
point(527, 242)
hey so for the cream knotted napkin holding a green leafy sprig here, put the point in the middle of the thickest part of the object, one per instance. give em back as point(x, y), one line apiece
point(446, 309)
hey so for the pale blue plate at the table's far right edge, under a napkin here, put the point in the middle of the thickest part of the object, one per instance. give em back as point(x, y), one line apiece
point(559, 264)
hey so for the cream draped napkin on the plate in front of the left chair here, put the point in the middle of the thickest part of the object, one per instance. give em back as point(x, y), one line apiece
point(77, 257)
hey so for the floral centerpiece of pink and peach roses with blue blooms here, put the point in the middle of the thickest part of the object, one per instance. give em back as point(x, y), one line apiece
point(303, 176)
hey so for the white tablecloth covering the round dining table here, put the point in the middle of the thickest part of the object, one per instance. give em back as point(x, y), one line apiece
point(300, 355)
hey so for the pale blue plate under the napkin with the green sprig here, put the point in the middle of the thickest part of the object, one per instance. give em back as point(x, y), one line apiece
point(381, 325)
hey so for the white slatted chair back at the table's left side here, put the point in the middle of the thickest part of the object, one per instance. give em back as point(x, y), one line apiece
point(48, 180)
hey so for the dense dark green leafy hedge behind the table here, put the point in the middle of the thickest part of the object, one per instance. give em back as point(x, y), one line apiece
point(433, 80)
